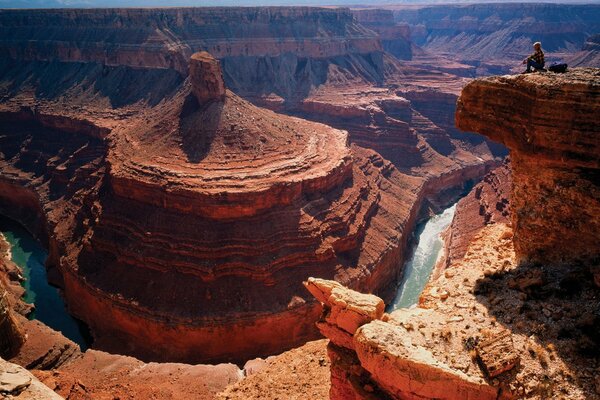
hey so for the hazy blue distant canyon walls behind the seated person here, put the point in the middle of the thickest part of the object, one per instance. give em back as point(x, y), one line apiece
point(496, 37)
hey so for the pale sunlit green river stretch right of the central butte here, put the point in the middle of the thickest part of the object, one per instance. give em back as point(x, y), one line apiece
point(428, 251)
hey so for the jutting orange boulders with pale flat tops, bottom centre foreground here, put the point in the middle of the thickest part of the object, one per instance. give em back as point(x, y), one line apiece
point(379, 359)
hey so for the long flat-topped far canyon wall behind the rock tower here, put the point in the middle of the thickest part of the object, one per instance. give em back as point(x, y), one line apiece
point(279, 50)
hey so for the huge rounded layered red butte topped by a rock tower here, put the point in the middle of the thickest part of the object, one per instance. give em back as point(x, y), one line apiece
point(187, 226)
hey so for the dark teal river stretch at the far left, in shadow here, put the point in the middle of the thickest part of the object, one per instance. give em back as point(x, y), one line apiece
point(50, 307)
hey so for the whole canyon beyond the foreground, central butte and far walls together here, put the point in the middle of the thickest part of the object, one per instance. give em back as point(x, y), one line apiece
point(189, 168)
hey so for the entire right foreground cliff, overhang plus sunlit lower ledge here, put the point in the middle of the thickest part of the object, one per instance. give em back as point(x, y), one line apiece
point(510, 312)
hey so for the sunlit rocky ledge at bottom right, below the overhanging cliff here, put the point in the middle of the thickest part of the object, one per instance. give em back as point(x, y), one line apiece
point(485, 328)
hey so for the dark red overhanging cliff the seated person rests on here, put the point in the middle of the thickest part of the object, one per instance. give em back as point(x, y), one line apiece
point(549, 123)
